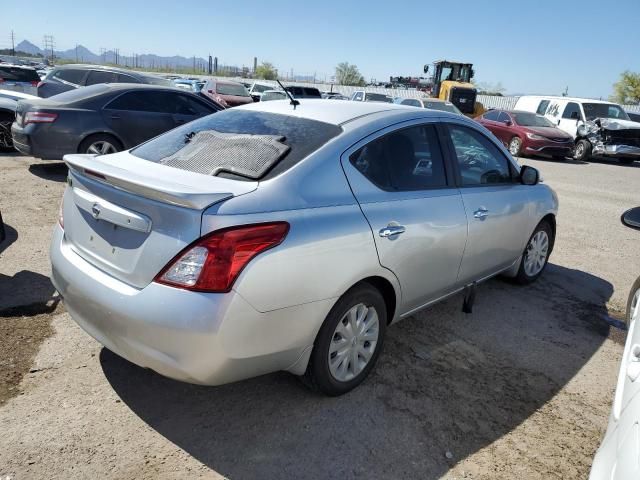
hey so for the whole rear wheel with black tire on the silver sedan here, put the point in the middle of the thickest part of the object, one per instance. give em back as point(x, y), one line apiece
point(349, 342)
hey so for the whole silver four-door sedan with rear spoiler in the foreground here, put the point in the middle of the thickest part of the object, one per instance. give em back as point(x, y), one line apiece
point(288, 237)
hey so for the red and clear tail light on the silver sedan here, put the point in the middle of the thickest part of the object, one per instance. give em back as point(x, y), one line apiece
point(213, 263)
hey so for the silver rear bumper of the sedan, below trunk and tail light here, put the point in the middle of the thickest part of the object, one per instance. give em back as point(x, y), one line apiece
point(203, 338)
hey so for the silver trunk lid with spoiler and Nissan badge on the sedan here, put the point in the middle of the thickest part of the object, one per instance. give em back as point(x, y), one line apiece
point(129, 217)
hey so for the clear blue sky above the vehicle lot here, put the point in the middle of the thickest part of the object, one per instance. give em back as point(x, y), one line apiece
point(530, 47)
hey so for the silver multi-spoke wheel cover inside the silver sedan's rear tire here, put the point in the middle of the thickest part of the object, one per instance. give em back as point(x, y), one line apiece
point(354, 342)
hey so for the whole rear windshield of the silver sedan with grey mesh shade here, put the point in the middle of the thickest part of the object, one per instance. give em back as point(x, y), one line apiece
point(263, 145)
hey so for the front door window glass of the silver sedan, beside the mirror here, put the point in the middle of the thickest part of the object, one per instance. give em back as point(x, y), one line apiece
point(479, 160)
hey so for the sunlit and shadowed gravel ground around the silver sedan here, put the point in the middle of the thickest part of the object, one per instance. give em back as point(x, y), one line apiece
point(521, 388)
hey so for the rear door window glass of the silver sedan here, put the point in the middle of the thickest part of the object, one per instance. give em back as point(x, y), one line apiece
point(405, 160)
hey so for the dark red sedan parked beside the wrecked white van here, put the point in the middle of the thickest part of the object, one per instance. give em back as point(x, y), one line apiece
point(526, 133)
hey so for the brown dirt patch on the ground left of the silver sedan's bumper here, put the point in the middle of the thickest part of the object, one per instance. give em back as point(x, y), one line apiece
point(22, 331)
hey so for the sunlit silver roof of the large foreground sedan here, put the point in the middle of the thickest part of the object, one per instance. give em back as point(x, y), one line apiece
point(336, 113)
